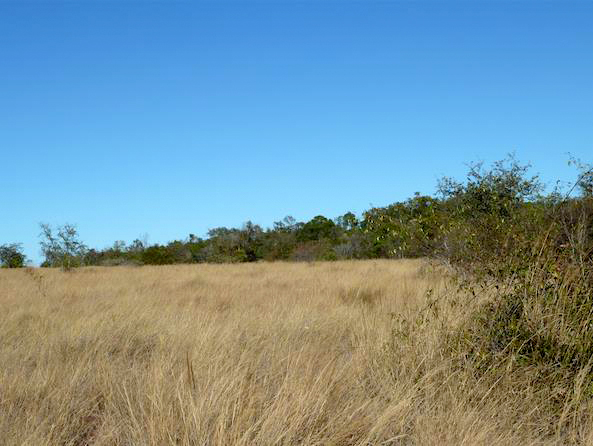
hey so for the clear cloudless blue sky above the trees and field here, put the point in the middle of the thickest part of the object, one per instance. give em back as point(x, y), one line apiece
point(169, 118)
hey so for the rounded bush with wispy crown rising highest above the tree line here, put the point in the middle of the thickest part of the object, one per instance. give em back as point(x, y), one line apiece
point(493, 217)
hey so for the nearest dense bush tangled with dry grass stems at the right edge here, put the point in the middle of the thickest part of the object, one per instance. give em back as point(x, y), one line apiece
point(546, 315)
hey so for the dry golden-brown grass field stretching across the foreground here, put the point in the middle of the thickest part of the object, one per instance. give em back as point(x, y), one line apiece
point(337, 353)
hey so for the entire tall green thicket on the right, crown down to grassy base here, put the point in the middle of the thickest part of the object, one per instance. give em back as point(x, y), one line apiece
point(536, 253)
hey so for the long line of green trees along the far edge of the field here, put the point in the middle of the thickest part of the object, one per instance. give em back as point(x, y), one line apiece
point(486, 215)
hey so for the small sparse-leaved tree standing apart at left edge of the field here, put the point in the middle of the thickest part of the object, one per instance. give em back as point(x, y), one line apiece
point(62, 248)
